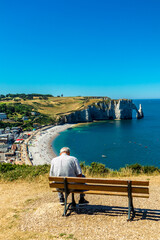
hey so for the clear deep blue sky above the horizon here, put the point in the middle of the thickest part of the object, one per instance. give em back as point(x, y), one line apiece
point(80, 47)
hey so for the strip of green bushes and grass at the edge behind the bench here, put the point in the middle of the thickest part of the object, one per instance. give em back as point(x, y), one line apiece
point(11, 172)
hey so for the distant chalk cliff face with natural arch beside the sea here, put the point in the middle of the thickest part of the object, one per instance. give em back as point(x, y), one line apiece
point(121, 109)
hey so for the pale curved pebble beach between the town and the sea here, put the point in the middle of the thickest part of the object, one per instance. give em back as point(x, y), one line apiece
point(40, 146)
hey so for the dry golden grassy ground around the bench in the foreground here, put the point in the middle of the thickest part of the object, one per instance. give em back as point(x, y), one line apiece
point(29, 210)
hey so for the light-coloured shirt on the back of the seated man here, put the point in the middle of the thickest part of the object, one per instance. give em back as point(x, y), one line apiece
point(65, 165)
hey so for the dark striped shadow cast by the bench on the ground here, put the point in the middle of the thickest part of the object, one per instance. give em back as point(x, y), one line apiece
point(141, 214)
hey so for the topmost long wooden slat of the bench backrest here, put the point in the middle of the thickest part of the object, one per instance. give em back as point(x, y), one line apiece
point(99, 180)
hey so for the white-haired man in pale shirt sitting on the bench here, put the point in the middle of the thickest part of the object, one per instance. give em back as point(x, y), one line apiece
point(66, 166)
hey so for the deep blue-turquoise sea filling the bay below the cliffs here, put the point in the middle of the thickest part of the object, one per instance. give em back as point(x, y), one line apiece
point(117, 143)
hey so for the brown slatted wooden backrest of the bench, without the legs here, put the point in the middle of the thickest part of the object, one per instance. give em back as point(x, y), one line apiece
point(101, 186)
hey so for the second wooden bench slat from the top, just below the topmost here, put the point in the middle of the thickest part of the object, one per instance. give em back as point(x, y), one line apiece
point(109, 188)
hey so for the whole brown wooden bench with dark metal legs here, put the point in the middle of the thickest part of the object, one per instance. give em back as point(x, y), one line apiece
point(100, 186)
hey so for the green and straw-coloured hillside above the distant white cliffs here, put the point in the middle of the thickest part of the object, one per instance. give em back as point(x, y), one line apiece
point(48, 109)
